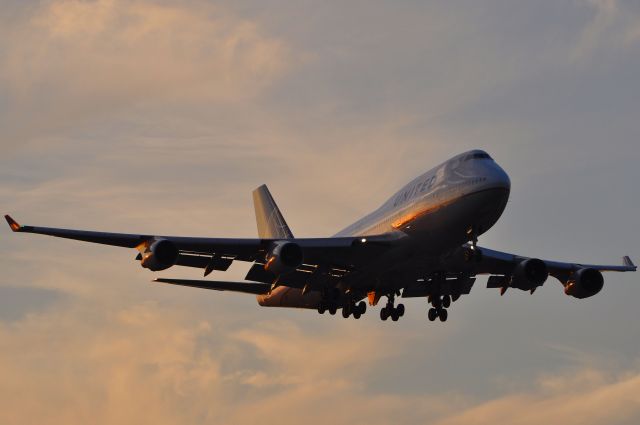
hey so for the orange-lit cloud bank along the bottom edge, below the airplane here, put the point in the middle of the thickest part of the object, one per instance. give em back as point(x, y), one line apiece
point(144, 361)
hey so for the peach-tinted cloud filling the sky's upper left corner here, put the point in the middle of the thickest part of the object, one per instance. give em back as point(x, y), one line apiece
point(69, 61)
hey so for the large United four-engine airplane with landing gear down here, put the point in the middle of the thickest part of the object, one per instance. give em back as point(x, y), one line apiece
point(422, 242)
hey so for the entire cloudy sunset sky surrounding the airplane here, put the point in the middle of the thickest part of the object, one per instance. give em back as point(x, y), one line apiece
point(162, 117)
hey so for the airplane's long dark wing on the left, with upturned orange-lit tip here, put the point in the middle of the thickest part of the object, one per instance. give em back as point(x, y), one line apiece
point(198, 252)
